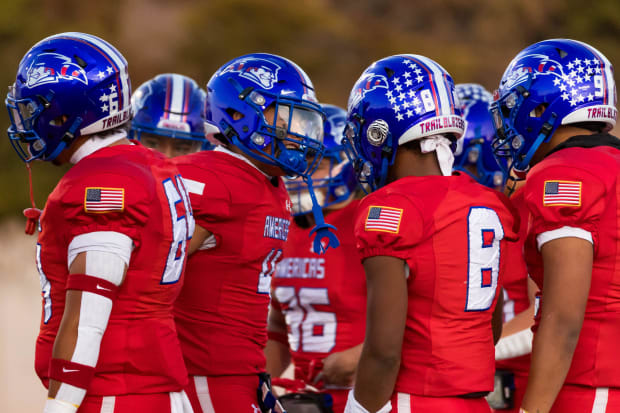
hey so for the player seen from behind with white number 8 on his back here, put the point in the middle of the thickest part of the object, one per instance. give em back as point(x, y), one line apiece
point(431, 245)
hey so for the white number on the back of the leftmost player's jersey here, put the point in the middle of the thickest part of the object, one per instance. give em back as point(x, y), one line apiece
point(182, 229)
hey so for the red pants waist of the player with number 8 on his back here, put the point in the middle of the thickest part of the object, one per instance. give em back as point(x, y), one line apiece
point(410, 403)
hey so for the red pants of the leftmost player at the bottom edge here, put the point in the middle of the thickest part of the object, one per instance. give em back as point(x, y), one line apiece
point(174, 402)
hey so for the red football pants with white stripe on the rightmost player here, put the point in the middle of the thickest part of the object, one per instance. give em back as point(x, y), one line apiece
point(579, 399)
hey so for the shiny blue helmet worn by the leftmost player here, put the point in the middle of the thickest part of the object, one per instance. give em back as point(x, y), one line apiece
point(68, 85)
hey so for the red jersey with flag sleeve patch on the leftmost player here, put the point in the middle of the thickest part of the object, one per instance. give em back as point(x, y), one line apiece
point(140, 351)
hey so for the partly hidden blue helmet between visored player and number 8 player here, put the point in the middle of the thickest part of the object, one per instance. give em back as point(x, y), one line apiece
point(340, 182)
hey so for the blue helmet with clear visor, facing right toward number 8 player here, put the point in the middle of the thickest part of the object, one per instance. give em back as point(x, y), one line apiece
point(242, 89)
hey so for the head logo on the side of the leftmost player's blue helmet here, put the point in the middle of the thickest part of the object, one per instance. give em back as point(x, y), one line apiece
point(51, 67)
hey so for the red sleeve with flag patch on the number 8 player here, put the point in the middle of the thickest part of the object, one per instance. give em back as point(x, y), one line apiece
point(387, 225)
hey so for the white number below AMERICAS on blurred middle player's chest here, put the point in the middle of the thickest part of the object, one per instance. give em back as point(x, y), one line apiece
point(309, 330)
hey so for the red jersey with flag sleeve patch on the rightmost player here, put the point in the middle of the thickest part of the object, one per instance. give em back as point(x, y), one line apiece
point(575, 192)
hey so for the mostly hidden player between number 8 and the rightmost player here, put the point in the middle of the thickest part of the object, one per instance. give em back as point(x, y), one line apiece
point(475, 156)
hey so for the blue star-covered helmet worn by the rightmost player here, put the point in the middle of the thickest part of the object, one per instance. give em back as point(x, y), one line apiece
point(572, 81)
